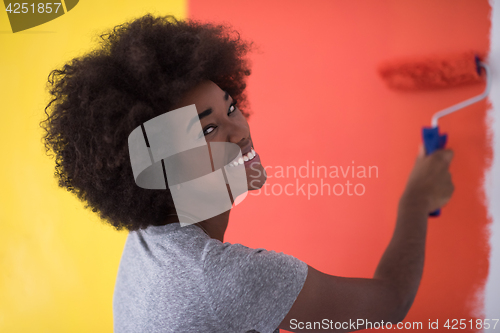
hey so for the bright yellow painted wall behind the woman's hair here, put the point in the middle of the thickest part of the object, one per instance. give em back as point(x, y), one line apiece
point(58, 262)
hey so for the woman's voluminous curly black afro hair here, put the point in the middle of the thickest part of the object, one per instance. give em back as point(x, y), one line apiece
point(141, 70)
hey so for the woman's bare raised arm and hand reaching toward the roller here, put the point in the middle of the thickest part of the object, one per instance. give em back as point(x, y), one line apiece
point(388, 296)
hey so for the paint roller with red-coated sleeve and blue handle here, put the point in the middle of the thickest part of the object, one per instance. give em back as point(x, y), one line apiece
point(434, 73)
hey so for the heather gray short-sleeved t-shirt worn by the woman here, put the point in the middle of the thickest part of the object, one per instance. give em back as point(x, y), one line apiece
point(177, 279)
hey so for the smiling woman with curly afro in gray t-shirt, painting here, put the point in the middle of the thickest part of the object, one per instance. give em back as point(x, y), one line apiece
point(175, 278)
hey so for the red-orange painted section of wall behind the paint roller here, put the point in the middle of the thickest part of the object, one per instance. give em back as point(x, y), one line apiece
point(316, 96)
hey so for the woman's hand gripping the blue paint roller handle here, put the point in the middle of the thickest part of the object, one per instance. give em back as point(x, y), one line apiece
point(430, 180)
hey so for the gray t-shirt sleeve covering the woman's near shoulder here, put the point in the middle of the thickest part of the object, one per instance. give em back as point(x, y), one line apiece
point(251, 289)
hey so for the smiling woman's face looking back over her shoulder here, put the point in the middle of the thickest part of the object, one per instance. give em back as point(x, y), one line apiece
point(222, 121)
